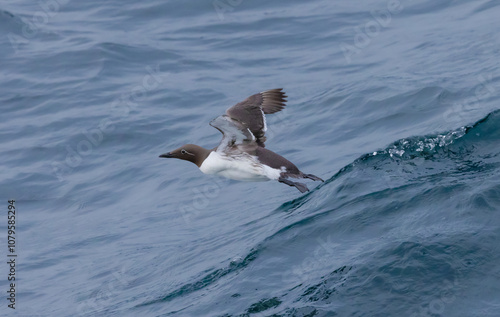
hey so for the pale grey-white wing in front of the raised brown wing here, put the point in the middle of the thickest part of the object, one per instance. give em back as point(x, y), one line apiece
point(235, 134)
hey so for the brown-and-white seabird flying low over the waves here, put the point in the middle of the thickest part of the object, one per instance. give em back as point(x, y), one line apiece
point(241, 155)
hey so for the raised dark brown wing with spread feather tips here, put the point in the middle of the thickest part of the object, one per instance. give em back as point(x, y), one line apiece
point(250, 112)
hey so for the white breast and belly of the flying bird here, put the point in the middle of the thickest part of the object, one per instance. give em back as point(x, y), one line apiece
point(242, 167)
